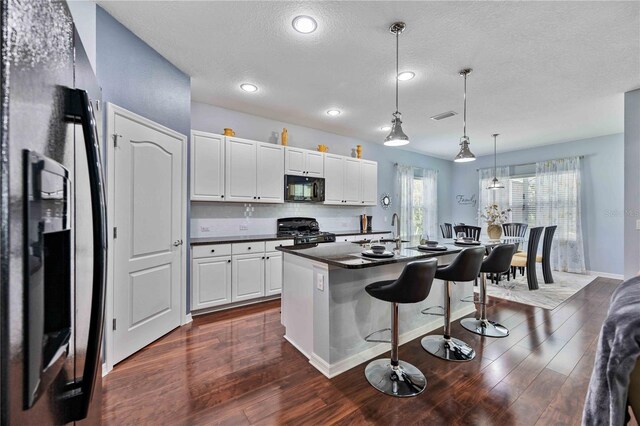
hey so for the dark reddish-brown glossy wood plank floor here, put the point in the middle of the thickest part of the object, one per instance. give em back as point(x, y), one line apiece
point(235, 368)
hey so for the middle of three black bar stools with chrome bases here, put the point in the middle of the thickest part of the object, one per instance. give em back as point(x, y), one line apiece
point(465, 267)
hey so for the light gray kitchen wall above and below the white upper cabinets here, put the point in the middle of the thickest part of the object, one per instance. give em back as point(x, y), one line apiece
point(213, 119)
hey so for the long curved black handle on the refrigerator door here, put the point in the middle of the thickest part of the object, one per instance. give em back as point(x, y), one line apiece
point(80, 392)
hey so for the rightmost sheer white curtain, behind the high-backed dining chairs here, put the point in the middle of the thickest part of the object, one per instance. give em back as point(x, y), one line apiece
point(558, 203)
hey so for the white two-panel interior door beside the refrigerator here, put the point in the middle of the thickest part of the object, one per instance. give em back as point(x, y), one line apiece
point(148, 250)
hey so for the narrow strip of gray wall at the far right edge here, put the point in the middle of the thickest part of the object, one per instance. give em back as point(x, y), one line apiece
point(631, 183)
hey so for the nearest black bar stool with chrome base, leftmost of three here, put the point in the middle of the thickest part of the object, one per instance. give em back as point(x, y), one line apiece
point(392, 376)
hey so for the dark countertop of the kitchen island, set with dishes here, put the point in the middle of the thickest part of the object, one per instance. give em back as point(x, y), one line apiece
point(348, 255)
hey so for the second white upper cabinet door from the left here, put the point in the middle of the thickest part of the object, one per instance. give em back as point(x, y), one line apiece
point(241, 170)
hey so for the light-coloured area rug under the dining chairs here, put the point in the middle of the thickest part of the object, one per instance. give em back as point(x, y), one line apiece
point(548, 296)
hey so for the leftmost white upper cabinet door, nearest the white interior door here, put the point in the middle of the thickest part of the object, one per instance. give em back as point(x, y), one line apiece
point(207, 166)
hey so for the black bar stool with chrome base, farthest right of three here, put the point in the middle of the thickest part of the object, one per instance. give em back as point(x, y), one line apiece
point(498, 261)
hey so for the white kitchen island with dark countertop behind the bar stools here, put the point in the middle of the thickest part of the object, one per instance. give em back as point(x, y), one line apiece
point(327, 314)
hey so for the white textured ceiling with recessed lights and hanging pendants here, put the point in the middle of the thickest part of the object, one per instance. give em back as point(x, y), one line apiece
point(544, 72)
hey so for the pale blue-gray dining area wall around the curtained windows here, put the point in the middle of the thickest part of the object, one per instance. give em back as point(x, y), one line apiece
point(602, 192)
